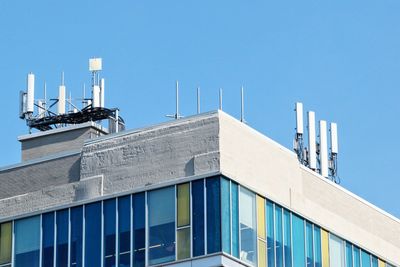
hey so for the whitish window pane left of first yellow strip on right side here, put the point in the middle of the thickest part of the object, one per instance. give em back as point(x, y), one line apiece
point(248, 231)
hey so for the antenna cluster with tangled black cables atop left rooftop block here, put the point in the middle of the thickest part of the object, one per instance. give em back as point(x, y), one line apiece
point(93, 109)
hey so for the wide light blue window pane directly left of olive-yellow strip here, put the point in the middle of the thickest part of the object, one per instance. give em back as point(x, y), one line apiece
point(161, 210)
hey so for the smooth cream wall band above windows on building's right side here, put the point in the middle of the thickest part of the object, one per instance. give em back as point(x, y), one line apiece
point(273, 171)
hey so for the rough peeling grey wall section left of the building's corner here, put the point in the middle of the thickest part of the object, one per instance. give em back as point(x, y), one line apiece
point(178, 149)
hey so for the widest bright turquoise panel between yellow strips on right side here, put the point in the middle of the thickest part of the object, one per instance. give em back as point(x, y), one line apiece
point(299, 257)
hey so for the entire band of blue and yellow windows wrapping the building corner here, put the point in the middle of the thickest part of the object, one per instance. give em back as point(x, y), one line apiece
point(205, 216)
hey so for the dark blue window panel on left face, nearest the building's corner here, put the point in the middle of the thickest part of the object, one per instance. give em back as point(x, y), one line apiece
point(213, 215)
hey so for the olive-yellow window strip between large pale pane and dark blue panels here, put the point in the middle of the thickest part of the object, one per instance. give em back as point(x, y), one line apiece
point(183, 223)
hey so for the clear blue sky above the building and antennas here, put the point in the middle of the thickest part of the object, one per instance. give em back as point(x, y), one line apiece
point(341, 58)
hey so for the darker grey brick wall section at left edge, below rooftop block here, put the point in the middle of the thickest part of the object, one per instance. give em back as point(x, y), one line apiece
point(36, 176)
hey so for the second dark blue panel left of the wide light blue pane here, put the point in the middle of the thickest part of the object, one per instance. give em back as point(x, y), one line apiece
point(124, 232)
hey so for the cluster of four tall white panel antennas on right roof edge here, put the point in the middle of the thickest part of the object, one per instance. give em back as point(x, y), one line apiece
point(316, 156)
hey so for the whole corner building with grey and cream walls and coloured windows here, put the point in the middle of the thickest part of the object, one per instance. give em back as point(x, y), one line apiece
point(206, 190)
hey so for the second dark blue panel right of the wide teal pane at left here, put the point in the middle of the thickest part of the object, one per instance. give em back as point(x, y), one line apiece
point(62, 238)
